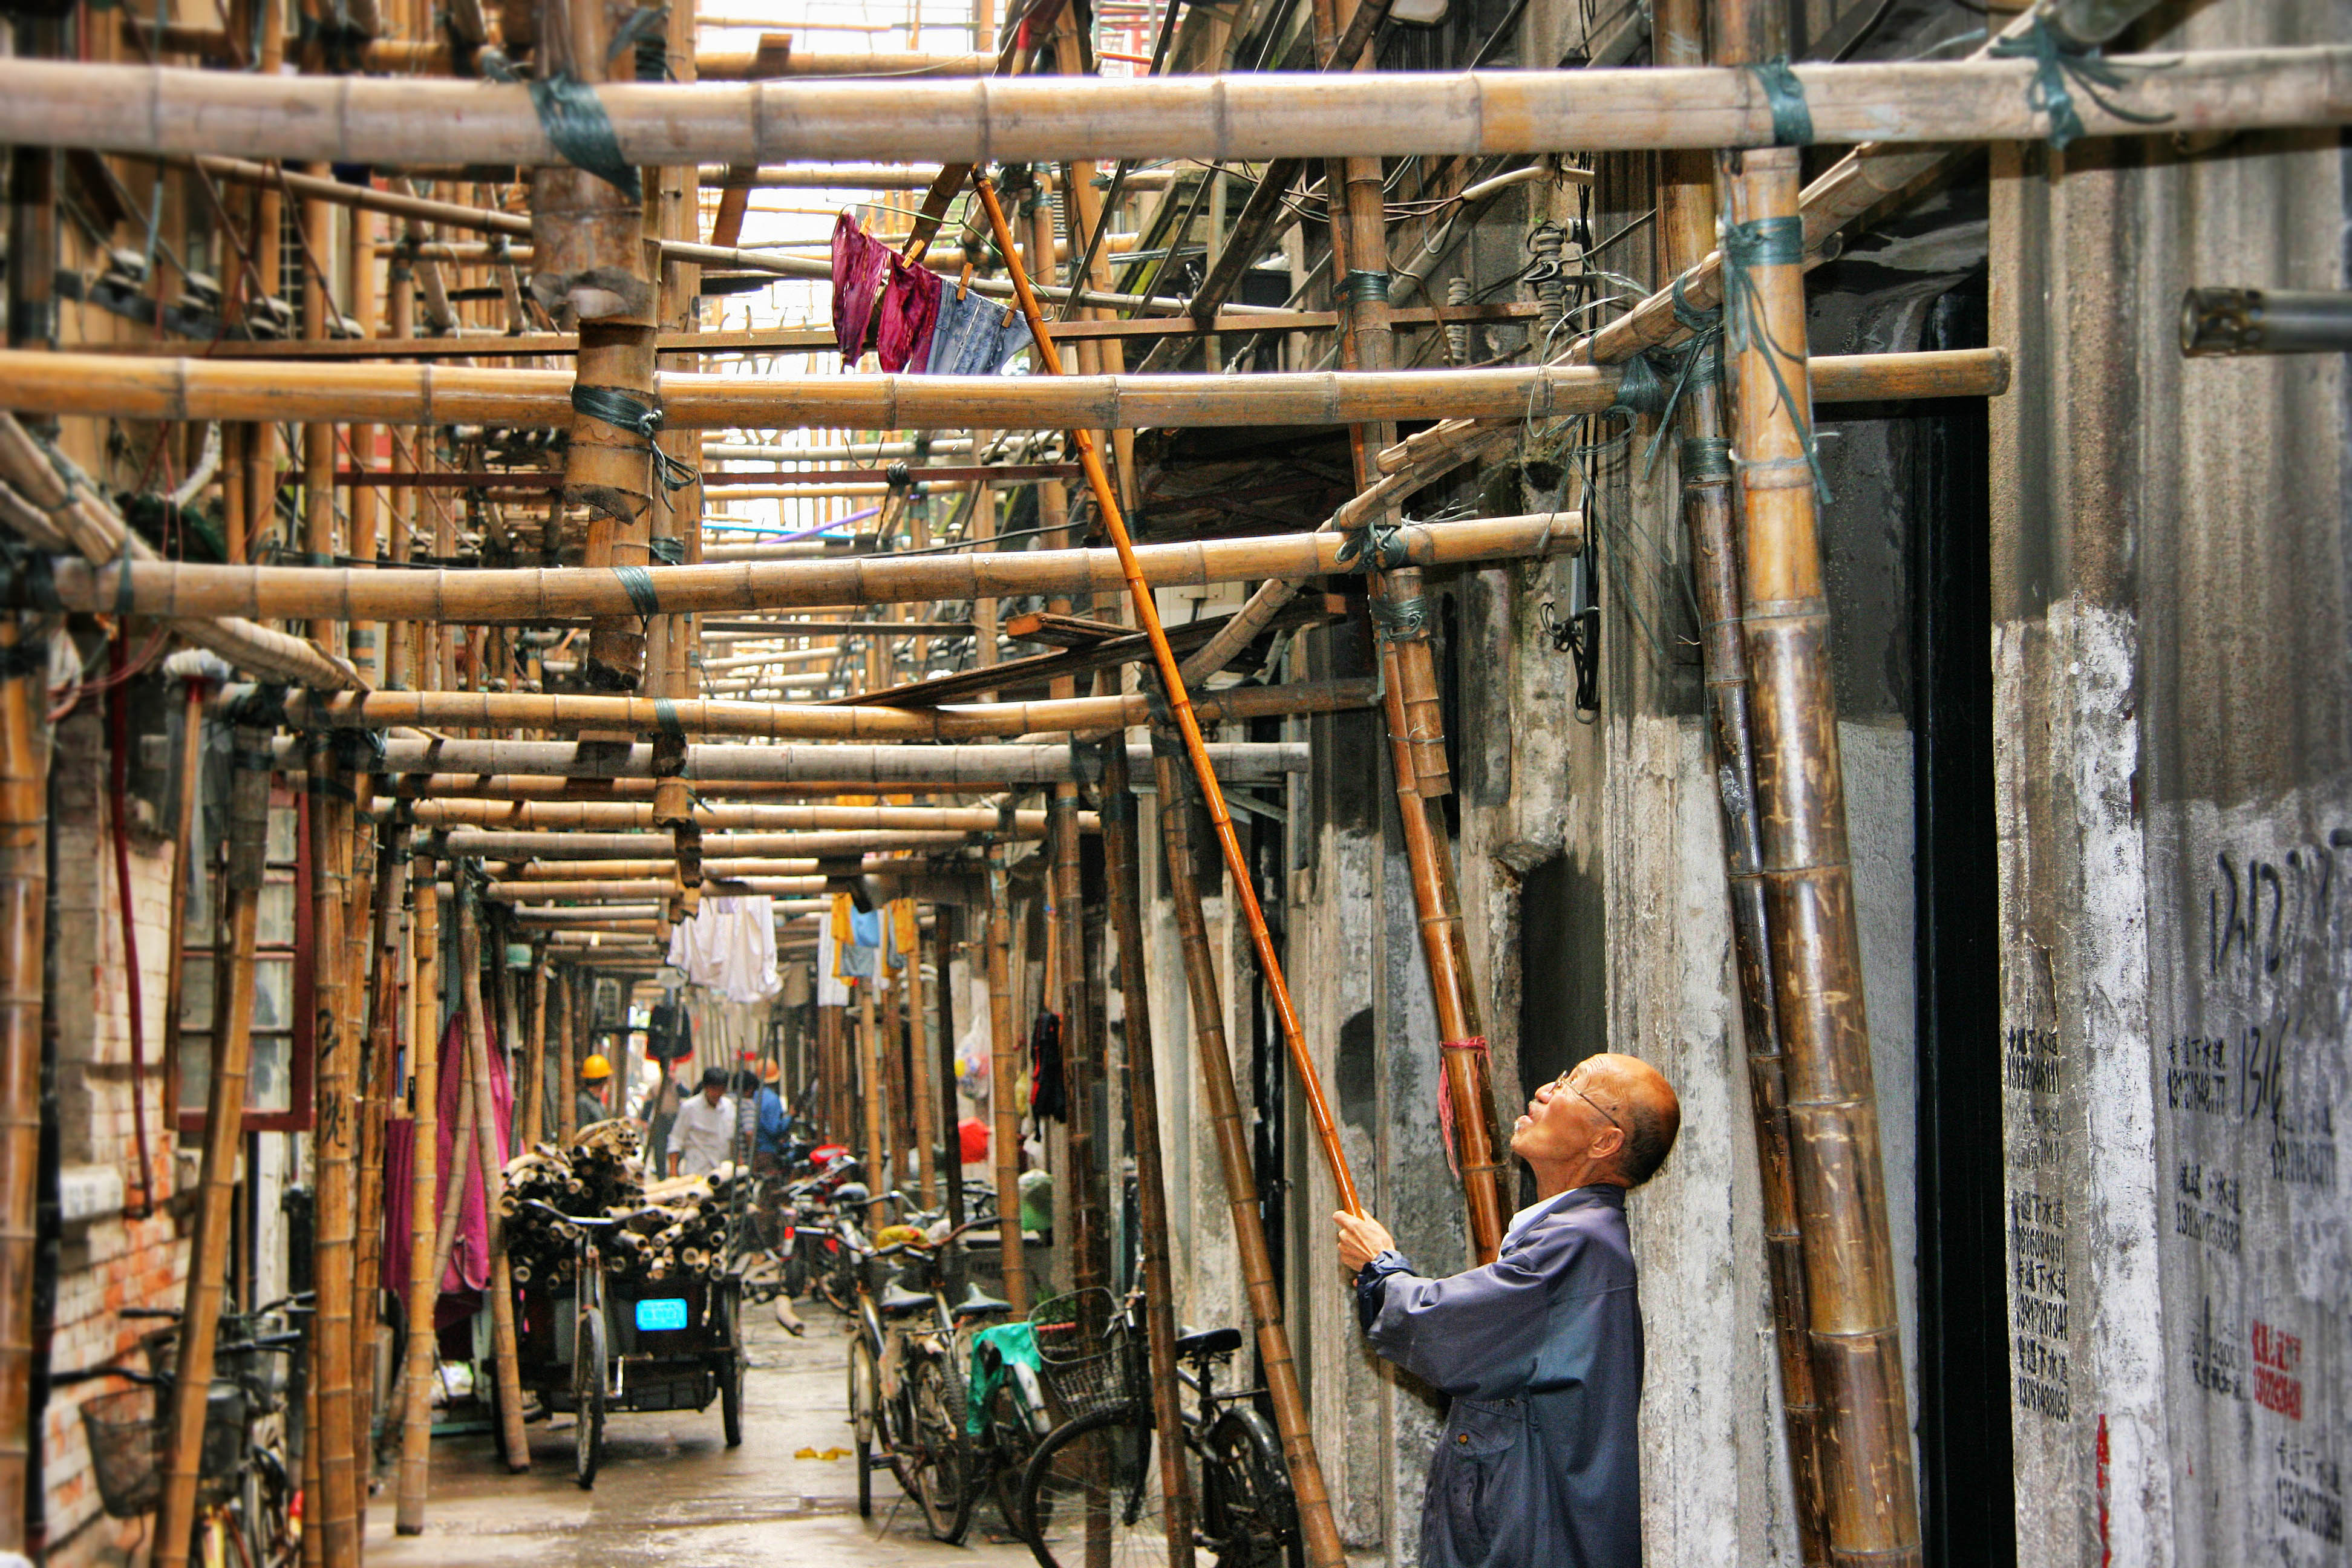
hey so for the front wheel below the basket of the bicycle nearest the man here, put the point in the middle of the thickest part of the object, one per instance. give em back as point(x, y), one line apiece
point(1093, 1494)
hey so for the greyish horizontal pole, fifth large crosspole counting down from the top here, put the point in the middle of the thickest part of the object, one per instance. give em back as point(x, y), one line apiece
point(975, 770)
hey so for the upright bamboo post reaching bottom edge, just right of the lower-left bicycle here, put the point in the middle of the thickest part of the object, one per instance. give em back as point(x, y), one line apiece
point(335, 1151)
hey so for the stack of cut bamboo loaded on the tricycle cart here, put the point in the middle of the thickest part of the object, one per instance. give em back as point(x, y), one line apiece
point(669, 1231)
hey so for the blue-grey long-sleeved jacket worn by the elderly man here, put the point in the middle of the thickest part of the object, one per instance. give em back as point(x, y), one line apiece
point(1542, 1353)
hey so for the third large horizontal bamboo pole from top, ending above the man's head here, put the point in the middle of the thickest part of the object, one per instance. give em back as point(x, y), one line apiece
point(547, 594)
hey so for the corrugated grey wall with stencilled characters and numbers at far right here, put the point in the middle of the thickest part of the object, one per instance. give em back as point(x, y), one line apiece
point(2172, 676)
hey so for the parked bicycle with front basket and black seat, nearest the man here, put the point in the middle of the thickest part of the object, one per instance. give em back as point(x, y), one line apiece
point(1093, 1492)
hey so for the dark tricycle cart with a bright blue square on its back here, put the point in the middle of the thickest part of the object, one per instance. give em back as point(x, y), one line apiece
point(594, 1346)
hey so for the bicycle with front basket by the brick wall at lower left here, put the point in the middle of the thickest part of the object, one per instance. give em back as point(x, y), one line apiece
point(248, 1506)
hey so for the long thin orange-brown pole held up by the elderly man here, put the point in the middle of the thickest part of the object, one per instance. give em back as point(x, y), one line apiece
point(1189, 730)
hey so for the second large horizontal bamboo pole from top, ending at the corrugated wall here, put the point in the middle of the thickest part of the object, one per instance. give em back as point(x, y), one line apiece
point(114, 387)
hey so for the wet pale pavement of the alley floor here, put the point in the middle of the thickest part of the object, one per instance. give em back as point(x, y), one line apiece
point(671, 1492)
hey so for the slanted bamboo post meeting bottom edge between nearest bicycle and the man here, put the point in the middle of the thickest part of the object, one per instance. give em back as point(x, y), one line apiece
point(1321, 1532)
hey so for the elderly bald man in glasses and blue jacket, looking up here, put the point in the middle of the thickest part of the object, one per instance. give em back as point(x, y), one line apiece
point(1539, 1351)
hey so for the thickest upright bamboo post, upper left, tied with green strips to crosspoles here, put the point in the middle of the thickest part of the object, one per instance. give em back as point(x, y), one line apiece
point(589, 262)
